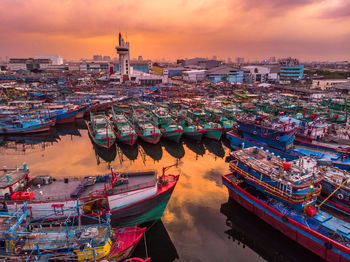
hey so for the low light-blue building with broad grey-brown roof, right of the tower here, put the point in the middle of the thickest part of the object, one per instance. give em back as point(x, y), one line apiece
point(225, 74)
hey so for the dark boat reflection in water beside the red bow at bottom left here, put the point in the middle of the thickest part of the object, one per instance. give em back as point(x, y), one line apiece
point(159, 244)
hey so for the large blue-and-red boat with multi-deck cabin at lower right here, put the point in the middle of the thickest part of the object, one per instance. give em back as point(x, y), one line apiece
point(284, 194)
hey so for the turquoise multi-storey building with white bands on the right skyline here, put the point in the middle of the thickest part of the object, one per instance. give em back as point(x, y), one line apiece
point(291, 69)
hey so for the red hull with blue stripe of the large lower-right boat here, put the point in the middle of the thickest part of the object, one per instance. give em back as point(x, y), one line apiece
point(322, 246)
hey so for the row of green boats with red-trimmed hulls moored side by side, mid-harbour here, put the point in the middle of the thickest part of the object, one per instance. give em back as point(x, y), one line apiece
point(128, 123)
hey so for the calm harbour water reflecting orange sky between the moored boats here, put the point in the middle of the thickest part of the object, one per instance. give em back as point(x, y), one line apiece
point(199, 224)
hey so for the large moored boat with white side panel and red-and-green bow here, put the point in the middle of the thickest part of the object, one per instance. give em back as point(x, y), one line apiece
point(132, 198)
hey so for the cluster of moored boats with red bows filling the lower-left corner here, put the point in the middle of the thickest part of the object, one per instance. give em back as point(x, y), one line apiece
point(50, 218)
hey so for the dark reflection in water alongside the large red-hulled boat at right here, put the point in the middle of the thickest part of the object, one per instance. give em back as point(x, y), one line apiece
point(269, 243)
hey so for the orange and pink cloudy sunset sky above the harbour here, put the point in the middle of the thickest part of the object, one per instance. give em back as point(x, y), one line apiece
point(311, 30)
